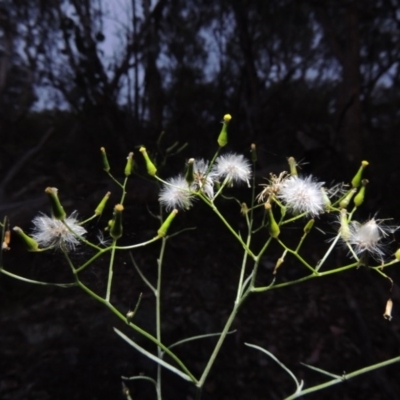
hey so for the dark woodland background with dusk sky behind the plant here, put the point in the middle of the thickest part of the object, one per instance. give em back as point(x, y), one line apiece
point(318, 80)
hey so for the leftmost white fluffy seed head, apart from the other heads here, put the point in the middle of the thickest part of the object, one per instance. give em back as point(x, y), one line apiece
point(51, 232)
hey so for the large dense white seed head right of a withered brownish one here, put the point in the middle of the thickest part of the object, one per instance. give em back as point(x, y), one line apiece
point(302, 195)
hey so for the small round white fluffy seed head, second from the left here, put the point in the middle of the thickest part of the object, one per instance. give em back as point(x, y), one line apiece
point(176, 194)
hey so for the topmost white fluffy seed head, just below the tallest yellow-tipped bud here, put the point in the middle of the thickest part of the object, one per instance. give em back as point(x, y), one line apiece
point(232, 167)
